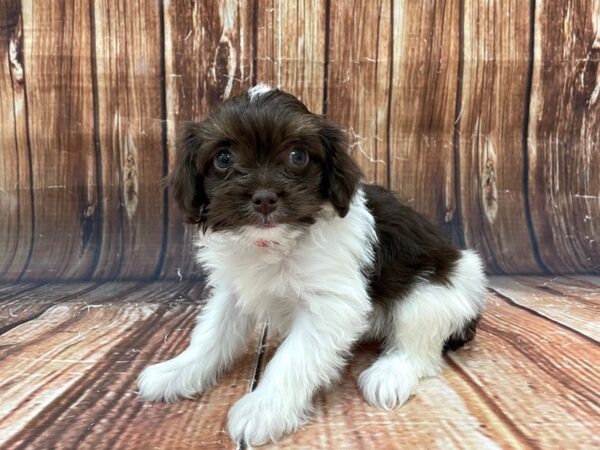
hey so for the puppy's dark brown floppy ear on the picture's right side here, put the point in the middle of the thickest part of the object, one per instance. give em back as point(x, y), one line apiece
point(342, 174)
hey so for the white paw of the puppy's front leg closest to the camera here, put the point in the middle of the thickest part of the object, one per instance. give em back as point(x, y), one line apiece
point(259, 418)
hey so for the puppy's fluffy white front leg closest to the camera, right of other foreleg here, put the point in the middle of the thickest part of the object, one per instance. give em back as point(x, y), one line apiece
point(309, 358)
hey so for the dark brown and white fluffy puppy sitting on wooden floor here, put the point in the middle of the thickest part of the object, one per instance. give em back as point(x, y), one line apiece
point(287, 233)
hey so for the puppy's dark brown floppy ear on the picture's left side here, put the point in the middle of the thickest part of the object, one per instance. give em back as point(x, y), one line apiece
point(186, 180)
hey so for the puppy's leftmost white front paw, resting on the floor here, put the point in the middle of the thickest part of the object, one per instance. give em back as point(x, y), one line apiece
point(170, 380)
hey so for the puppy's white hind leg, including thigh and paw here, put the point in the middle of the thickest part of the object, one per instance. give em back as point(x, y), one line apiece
point(423, 323)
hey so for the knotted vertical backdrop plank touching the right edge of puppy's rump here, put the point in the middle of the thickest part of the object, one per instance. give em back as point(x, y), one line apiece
point(492, 119)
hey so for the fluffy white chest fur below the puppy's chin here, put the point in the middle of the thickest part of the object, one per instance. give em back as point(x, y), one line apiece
point(273, 271)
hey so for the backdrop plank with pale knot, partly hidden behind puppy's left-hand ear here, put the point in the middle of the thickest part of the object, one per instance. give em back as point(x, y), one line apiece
point(208, 58)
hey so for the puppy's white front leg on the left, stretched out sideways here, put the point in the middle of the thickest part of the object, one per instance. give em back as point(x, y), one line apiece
point(219, 336)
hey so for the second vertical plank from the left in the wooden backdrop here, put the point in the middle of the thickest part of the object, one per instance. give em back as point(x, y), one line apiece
point(57, 55)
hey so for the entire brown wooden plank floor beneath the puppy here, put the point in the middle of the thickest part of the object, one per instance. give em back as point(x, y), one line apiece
point(70, 354)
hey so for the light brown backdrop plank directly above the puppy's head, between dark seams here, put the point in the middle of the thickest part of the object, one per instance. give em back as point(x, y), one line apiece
point(291, 48)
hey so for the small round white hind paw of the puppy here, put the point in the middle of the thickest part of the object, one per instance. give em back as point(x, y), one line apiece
point(387, 384)
